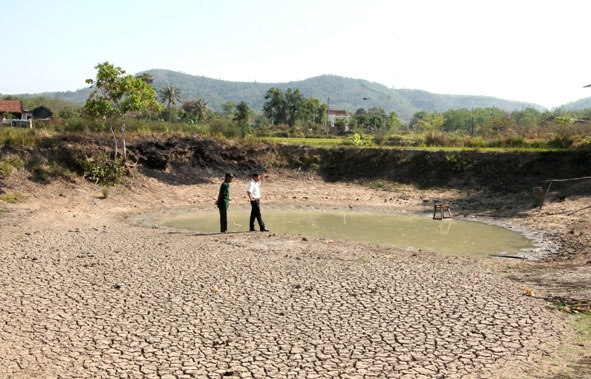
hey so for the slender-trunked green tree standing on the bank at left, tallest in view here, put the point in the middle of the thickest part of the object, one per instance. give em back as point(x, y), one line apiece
point(114, 94)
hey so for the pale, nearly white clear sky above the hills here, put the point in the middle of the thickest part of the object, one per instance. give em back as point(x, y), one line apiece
point(524, 50)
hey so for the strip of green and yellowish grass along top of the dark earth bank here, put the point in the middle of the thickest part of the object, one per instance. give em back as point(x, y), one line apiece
point(399, 140)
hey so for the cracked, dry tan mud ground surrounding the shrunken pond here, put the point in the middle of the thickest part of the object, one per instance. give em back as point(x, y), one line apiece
point(88, 292)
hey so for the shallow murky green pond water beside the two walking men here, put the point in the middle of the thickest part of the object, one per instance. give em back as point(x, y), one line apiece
point(404, 231)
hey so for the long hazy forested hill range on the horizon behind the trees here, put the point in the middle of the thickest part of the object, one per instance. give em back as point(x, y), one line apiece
point(341, 93)
